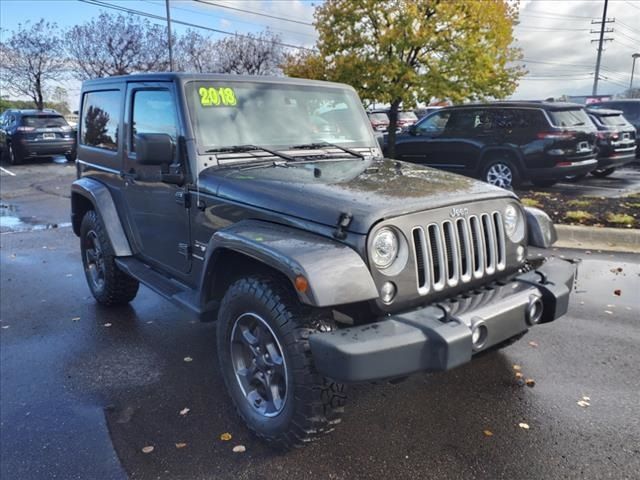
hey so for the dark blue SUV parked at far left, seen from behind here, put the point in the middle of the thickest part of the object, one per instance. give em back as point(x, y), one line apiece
point(35, 133)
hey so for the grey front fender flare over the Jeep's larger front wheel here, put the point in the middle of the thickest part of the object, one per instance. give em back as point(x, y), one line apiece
point(336, 274)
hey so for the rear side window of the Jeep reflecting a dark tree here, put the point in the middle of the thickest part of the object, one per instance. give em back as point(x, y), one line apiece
point(100, 119)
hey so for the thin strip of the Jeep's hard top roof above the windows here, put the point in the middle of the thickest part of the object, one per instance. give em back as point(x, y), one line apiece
point(182, 78)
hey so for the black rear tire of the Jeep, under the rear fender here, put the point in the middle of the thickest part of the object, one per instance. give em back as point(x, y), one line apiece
point(118, 288)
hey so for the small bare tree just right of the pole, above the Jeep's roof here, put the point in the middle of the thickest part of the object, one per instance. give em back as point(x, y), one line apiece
point(195, 53)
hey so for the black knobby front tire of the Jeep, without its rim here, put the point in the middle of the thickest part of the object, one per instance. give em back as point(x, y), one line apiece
point(313, 404)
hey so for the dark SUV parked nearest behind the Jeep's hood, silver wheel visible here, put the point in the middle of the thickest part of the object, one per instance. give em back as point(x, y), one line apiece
point(504, 143)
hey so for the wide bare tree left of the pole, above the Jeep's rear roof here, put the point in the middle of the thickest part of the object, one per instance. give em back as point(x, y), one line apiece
point(117, 45)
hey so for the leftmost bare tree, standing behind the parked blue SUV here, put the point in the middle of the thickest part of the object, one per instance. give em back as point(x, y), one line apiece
point(30, 59)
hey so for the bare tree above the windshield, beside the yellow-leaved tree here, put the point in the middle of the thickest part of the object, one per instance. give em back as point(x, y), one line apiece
point(250, 54)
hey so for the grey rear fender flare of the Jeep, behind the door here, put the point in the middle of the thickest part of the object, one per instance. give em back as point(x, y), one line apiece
point(100, 197)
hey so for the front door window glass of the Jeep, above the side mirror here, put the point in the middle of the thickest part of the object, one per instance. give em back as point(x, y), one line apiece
point(153, 112)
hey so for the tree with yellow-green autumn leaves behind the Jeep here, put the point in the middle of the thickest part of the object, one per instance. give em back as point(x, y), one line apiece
point(403, 51)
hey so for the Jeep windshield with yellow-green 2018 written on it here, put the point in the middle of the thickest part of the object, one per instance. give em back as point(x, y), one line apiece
point(226, 114)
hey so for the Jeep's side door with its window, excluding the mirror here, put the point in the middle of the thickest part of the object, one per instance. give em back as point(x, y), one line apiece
point(158, 213)
